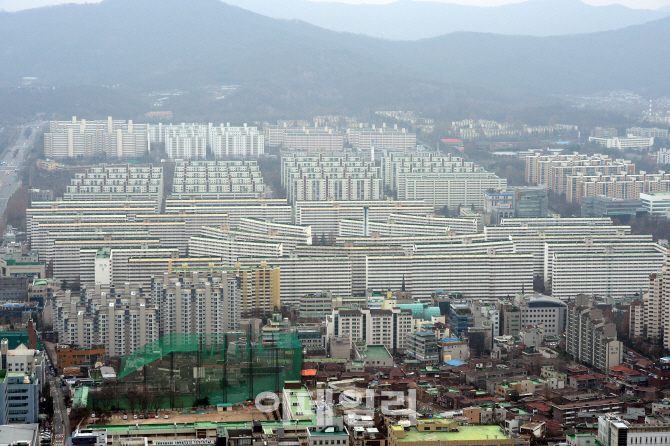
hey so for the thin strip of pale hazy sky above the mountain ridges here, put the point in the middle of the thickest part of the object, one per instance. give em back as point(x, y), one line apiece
point(15, 5)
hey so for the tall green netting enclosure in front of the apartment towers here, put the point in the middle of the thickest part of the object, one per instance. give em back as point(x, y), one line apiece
point(226, 368)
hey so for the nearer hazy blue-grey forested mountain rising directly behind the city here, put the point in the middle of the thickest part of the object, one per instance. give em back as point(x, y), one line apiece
point(151, 45)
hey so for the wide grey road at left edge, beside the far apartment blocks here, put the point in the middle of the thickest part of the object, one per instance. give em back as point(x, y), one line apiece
point(9, 176)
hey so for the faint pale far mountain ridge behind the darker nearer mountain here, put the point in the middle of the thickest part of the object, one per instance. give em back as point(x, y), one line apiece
point(412, 20)
